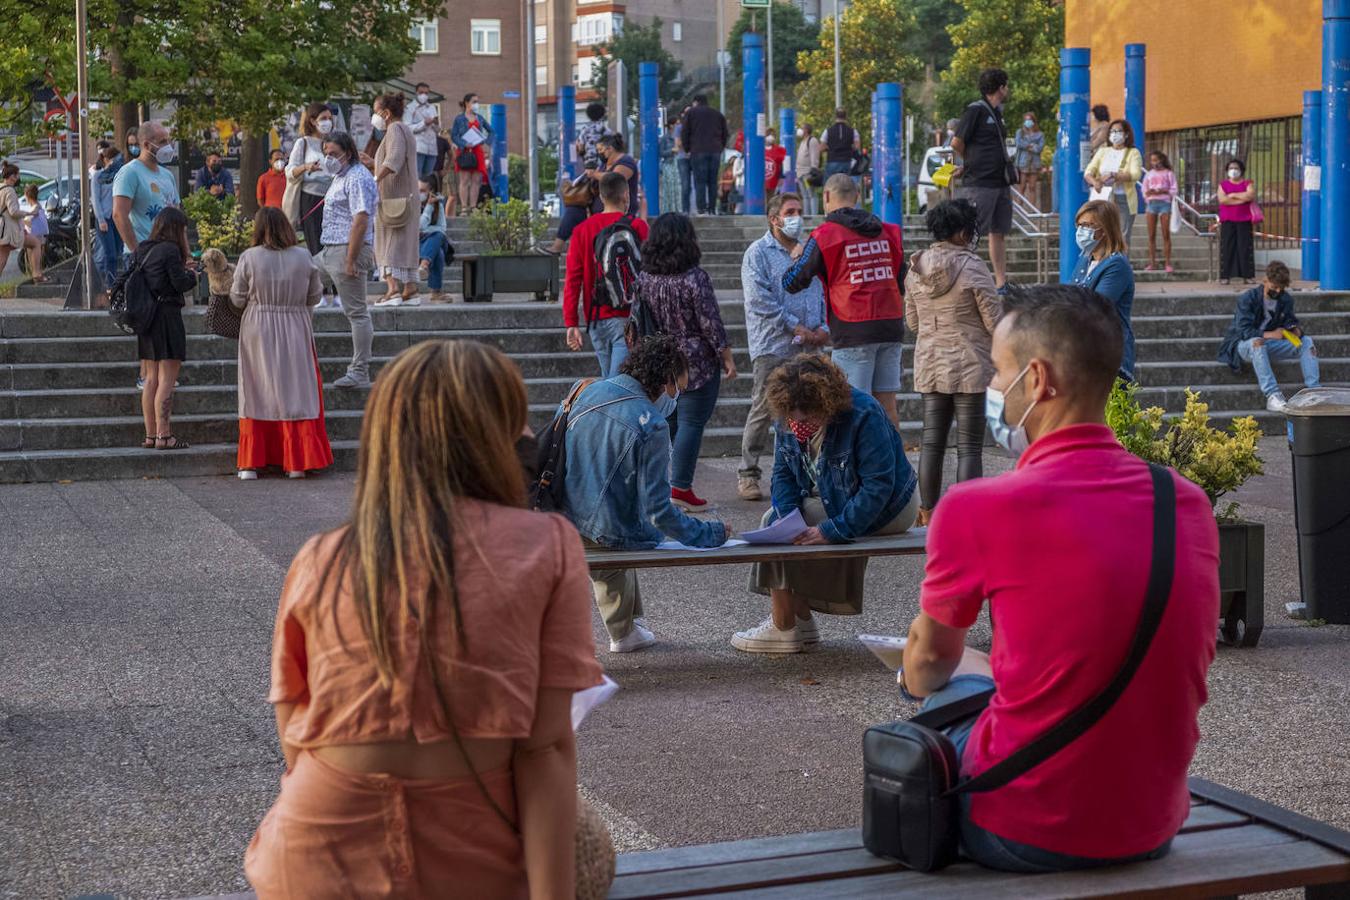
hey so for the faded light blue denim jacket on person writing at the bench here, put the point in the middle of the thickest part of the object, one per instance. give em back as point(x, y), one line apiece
point(618, 489)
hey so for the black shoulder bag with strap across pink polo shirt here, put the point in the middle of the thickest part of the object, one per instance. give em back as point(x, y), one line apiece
point(911, 768)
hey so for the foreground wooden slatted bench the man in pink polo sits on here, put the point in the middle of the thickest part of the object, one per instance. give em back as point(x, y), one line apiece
point(1232, 844)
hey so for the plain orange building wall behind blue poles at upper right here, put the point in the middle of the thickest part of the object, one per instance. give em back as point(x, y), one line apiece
point(1209, 61)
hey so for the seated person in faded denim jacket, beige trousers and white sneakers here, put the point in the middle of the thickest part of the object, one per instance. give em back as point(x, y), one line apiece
point(618, 488)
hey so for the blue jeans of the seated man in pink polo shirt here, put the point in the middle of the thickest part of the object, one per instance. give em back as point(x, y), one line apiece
point(988, 848)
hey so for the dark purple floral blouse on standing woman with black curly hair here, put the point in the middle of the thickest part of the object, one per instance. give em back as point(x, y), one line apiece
point(685, 307)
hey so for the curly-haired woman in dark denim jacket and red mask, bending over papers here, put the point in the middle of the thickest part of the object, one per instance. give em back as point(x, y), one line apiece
point(842, 463)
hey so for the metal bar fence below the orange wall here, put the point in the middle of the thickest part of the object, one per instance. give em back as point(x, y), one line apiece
point(1272, 152)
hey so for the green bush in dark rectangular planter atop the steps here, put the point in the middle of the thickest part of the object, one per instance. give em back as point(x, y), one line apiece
point(510, 262)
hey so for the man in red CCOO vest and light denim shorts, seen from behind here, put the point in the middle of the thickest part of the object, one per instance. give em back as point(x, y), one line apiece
point(862, 264)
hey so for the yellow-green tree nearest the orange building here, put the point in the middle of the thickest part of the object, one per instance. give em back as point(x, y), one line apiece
point(1021, 37)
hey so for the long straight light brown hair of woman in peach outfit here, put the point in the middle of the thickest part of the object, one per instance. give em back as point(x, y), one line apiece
point(441, 426)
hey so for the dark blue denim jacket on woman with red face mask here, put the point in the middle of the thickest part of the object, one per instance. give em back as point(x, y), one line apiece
point(863, 476)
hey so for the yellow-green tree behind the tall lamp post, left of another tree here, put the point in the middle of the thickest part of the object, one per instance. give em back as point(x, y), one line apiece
point(874, 36)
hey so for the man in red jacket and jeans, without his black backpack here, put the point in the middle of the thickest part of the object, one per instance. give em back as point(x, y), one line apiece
point(605, 323)
